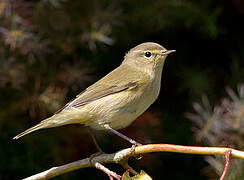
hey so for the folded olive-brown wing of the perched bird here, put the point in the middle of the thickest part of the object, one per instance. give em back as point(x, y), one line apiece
point(114, 82)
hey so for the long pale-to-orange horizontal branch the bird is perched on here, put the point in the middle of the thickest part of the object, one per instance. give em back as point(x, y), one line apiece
point(122, 155)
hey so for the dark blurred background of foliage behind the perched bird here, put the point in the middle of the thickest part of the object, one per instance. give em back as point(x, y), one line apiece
point(51, 50)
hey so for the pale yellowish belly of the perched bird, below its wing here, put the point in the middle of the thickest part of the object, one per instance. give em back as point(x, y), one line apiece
point(117, 110)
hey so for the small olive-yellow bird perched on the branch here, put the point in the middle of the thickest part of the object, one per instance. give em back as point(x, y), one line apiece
point(117, 99)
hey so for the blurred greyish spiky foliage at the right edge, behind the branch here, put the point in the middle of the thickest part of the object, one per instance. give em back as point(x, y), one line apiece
point(222, 125)
